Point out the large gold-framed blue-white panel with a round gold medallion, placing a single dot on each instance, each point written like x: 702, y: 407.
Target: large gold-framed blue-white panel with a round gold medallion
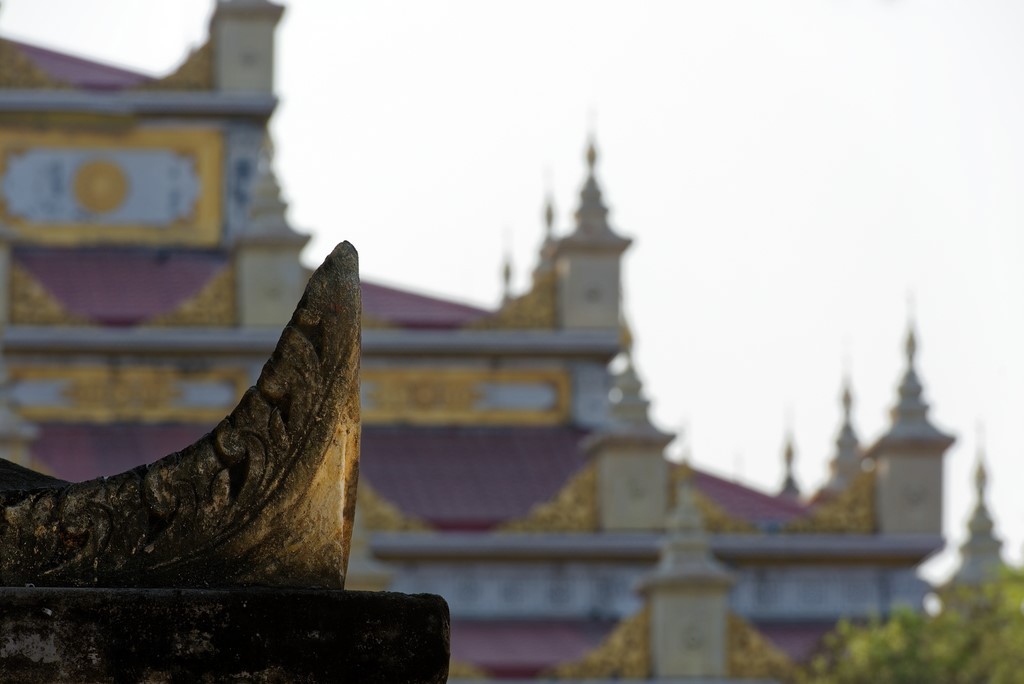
x: 101, y: 189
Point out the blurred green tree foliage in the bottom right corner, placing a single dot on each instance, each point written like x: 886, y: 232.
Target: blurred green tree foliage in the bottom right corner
x: 977, y: 638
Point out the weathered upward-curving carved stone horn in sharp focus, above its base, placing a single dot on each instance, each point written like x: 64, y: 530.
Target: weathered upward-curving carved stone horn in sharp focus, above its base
x: 268, y: 498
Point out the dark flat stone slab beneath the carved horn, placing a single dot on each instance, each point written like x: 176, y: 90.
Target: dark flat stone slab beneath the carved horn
x: 248, y: 635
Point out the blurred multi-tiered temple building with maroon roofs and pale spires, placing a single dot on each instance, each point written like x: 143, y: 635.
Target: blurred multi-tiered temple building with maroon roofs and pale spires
x: 508, y: 461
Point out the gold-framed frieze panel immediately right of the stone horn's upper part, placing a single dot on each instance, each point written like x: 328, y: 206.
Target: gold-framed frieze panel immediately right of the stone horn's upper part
x: 458, y: 397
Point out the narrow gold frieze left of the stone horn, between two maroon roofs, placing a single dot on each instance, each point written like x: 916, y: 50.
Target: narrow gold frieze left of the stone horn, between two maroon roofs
x: 111, y: 394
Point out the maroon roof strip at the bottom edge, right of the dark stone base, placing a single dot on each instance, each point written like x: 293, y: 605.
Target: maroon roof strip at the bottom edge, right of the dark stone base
x: 524, y: 649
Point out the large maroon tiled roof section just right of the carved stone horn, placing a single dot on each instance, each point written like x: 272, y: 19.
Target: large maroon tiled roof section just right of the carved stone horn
x: 470, y: 479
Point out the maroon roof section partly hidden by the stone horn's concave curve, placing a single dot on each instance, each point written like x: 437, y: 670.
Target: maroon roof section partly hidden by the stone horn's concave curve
x: 79, y: 452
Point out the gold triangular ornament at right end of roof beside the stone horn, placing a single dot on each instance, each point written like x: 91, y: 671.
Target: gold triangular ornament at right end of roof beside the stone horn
x: 574, y: 509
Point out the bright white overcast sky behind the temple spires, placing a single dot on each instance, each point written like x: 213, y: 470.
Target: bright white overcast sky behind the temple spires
x: 791, y: 173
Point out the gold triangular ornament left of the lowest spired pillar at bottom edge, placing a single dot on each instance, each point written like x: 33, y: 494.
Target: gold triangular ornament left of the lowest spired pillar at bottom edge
x: 624, y: 655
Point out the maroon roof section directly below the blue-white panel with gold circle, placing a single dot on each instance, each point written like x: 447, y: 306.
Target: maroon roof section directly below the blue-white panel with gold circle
x: 127, y: 287
